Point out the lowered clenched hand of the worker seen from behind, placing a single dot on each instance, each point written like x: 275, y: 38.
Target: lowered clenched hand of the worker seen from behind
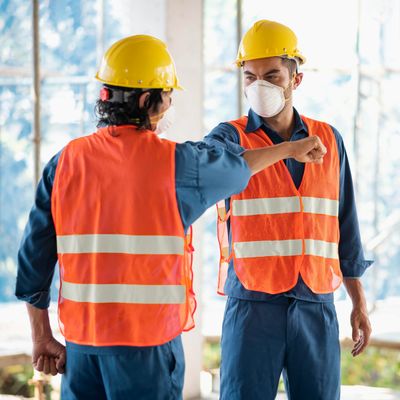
x: 48, y: 356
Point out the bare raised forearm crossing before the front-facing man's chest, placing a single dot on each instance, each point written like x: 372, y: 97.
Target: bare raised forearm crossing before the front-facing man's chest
x: 261, y: 158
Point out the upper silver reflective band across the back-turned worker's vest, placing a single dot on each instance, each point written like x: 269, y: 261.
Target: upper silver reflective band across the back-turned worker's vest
x: 128, y: 244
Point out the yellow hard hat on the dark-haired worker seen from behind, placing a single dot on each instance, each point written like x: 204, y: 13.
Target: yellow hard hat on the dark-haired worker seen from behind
x: 139, y: 61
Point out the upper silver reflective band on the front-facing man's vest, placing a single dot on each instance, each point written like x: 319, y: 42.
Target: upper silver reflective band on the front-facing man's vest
x: 281, y: 205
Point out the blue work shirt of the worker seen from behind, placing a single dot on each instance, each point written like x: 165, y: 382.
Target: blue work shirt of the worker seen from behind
x: 204, y: 175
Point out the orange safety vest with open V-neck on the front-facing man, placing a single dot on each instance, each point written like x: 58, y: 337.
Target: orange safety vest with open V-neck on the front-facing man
x: 279, y: 231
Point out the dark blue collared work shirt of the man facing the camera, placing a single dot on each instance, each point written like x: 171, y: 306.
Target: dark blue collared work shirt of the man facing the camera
x: 352, y: 262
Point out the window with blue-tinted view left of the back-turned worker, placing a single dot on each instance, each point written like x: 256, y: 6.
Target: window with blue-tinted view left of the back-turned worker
x: 73, y: 36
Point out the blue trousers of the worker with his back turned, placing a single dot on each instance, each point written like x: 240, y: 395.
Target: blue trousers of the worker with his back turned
x: 141, y: 373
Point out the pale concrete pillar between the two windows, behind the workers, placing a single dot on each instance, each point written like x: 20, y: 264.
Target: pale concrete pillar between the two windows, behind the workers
x: 179, y: 23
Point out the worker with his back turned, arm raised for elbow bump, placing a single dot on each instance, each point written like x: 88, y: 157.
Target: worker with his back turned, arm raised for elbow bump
x: 115, y: 209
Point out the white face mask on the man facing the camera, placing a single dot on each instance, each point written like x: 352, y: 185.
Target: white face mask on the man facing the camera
x: 265, y: 98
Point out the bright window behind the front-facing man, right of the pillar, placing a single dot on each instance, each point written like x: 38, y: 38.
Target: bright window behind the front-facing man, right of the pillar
x: 351, y: 80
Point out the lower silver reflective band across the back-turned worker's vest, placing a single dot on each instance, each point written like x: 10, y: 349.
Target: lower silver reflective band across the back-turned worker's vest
x: 132, y: 294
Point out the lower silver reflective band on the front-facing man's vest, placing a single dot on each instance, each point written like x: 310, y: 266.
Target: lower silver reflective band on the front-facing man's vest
x: 277, y: 248
